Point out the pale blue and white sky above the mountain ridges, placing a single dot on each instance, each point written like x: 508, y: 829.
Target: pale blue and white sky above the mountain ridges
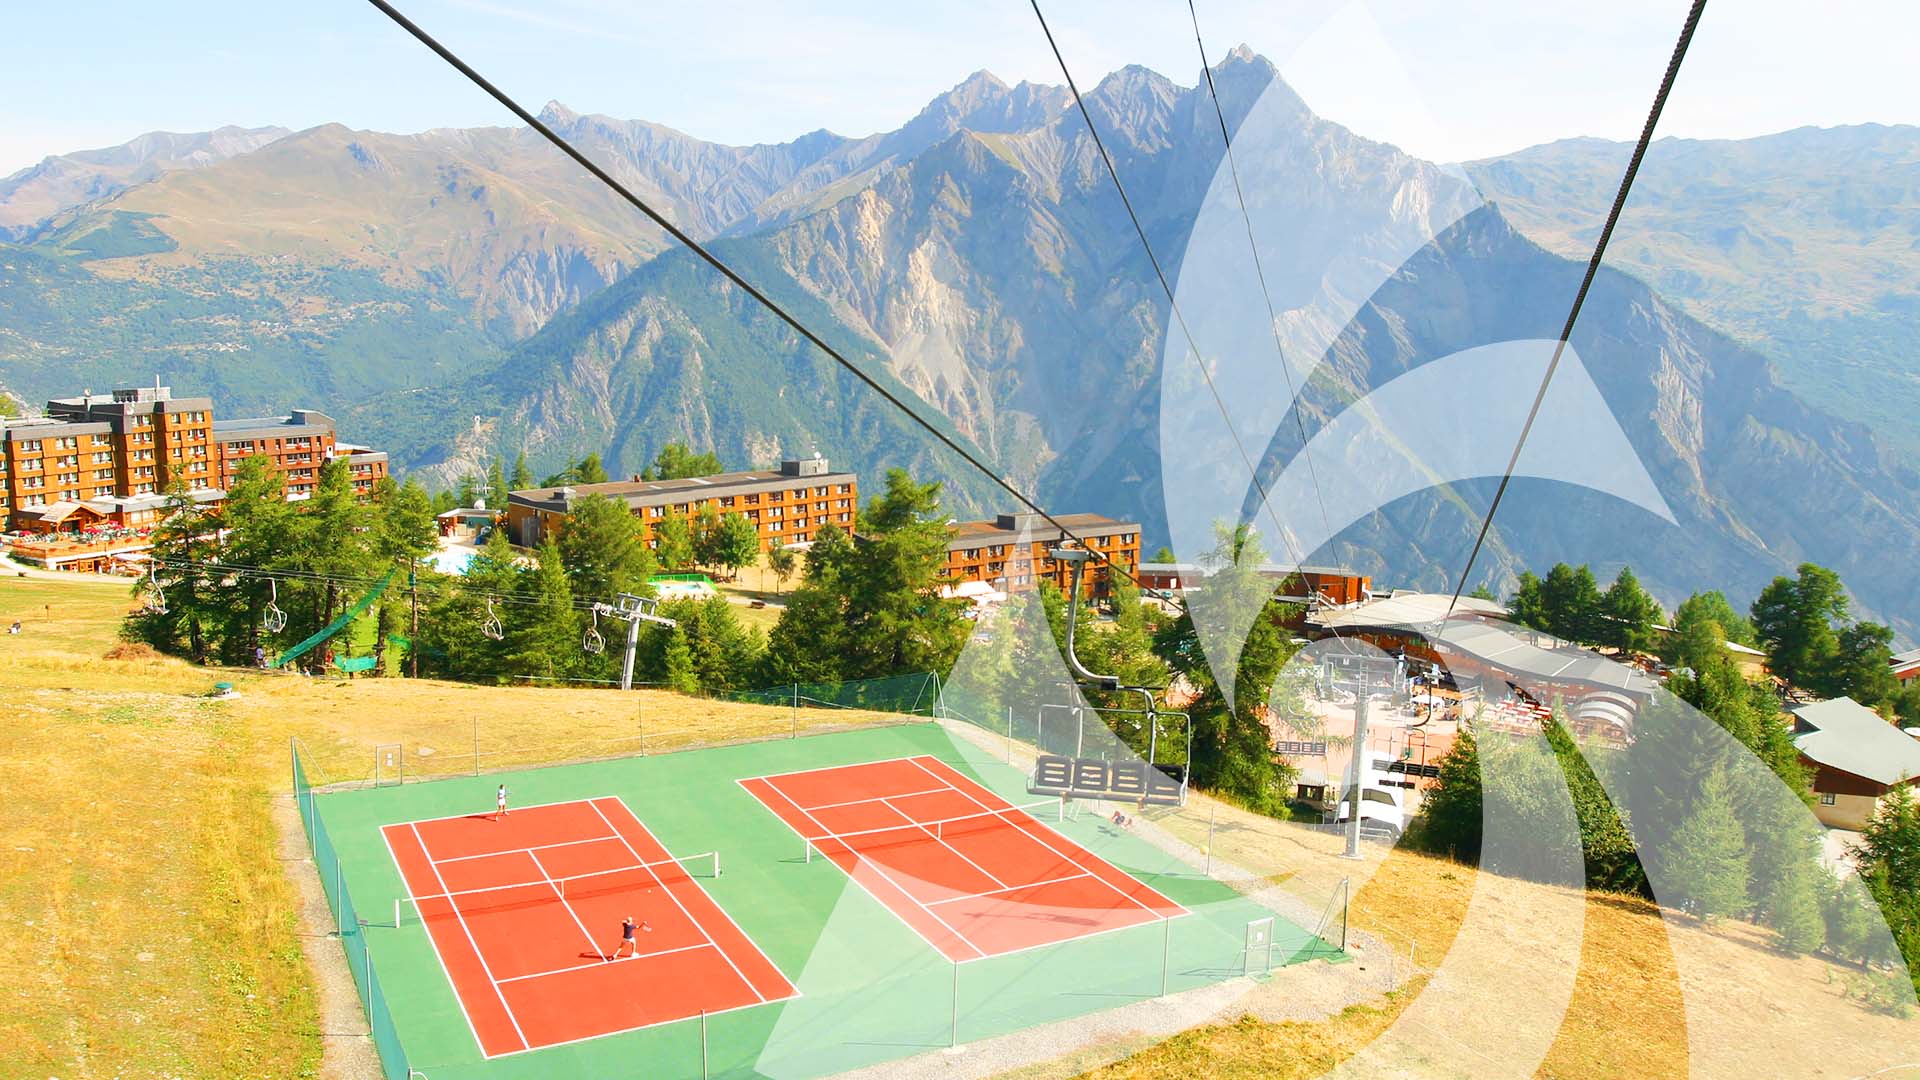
x: 1445, y: 82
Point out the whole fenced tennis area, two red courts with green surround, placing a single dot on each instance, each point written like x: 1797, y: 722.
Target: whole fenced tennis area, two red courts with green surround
x: 775, y: 946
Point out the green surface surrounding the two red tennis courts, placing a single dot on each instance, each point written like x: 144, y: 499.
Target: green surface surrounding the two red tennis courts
x: 871, y: 987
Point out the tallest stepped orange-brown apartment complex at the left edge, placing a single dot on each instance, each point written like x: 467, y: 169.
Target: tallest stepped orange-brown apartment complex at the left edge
x: 110, y: 458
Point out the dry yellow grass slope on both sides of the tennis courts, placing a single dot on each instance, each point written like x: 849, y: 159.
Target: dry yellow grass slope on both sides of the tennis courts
x: 147, y: 920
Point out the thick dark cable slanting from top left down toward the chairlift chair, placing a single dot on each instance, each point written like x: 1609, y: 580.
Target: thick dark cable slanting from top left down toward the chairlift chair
x: 729, y: 272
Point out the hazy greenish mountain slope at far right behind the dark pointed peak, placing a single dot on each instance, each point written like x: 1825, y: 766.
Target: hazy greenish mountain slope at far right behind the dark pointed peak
x: 1804, y: 245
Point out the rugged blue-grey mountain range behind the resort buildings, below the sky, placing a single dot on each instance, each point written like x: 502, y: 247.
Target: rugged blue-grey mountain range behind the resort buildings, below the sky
x: 468, y: 293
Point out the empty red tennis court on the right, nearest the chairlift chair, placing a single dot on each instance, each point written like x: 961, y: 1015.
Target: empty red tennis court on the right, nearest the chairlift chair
x: 969, y: 871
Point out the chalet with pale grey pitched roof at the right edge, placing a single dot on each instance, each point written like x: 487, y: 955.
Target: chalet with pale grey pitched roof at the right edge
x: 1856, y: 758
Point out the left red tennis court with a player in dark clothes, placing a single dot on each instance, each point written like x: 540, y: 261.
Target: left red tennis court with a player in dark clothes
x: 525, y: 908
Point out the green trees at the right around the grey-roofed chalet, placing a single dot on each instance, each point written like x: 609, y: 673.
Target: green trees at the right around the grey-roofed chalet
x: 1729, y: 843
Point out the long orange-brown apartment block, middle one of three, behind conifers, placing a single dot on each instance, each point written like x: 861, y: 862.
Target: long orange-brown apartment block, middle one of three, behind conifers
x: 788, y: 504
